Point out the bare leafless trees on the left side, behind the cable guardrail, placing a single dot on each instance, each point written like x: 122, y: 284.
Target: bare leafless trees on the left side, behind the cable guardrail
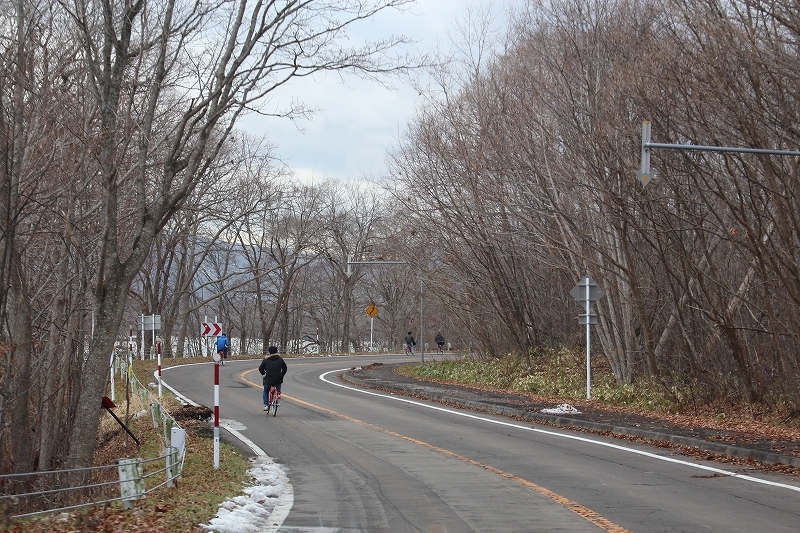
x: 118, y: 124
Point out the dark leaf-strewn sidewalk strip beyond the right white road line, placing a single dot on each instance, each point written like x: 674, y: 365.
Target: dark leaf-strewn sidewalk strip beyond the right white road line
x: 726, y: 442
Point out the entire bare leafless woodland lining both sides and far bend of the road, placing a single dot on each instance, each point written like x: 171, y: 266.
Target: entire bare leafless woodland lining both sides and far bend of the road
x: 127, y: 190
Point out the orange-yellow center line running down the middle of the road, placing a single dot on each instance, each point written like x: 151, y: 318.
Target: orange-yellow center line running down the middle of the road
x: 580, y: 510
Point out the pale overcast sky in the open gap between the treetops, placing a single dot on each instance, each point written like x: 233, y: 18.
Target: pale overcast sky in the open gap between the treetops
x: 358, y: 122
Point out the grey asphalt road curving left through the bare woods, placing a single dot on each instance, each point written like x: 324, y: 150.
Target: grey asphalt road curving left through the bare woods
x: 362, y: 461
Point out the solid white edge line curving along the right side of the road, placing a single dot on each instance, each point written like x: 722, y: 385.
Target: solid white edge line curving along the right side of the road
x: 565, y: 436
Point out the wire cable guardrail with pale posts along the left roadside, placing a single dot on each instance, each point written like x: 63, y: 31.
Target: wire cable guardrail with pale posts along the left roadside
x: 35, y: 493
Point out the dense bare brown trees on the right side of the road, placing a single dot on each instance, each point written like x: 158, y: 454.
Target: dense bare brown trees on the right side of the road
x: 522, y: 170
